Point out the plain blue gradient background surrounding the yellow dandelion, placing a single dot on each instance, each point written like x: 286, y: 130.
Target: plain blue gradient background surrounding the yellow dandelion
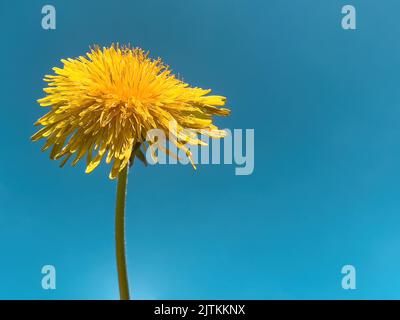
x: 325, y: 106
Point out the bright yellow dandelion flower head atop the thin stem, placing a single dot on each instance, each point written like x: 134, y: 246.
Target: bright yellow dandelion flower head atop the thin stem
x: 102, y: 105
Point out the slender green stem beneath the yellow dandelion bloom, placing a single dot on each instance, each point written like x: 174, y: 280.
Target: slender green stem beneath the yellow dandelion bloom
x: 120, y: 234
